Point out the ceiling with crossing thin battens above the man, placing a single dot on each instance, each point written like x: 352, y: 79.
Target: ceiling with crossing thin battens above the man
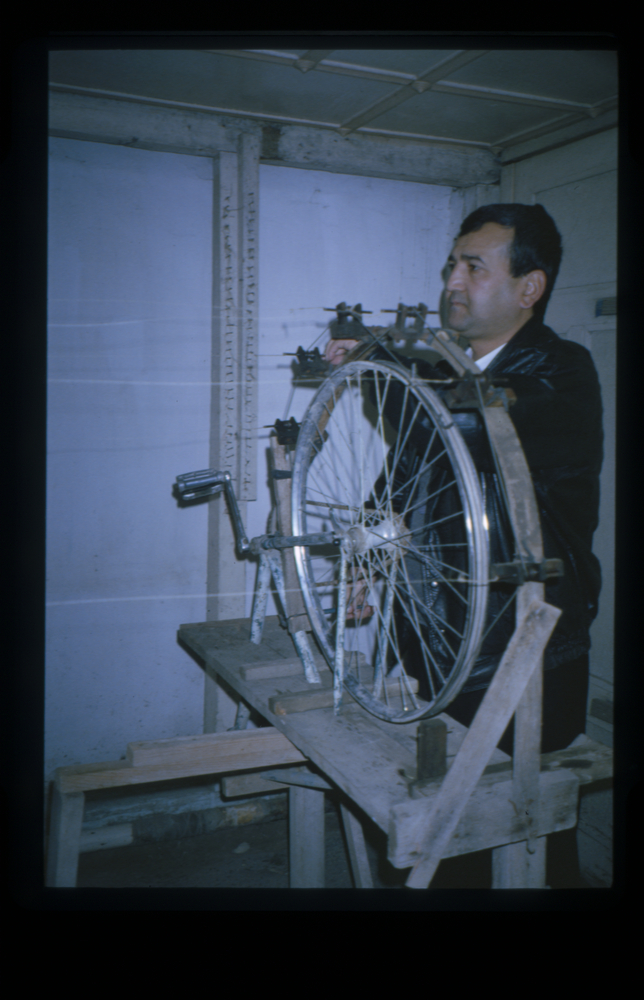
x: 491, y: 99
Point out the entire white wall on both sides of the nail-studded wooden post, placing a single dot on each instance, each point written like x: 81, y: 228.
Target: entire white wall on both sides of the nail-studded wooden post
x: 130, y: 285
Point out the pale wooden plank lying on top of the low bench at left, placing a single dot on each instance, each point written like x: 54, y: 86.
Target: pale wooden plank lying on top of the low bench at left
x: 233, y: 751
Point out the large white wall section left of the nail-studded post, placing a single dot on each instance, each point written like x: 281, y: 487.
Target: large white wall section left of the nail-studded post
x: 129, y: 360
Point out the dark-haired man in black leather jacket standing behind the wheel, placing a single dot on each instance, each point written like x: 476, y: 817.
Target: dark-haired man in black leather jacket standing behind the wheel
x: 500, y: 275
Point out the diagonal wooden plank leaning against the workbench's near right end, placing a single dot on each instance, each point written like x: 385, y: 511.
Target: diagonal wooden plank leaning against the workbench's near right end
x: 497, y: 708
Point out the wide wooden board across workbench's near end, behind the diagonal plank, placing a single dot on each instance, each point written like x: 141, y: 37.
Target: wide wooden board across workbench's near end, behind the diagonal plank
x: 489, y: 819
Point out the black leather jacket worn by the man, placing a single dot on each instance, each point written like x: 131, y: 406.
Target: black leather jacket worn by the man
x: 558, y: 418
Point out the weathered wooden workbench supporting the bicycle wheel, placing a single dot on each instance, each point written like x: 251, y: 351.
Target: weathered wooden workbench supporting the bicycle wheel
x: 373, y: 761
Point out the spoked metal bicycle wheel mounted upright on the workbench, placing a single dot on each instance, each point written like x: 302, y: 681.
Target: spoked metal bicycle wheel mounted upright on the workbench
x: 382, y: 468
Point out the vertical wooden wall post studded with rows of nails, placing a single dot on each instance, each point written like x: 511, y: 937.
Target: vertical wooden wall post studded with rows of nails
x: 233, y: 408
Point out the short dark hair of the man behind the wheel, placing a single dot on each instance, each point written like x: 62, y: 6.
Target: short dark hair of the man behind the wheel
x: 536, y: 245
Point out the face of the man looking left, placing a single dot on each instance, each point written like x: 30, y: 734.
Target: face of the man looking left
x: 482, y: 297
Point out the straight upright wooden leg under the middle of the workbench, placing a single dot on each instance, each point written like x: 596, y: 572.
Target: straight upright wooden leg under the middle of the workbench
x: 306, y: 837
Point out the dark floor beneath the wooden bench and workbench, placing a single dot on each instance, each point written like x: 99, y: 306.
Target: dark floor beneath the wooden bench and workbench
x: 256, y: 856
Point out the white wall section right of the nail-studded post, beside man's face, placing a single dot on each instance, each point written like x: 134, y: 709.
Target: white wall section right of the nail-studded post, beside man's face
x: 326, y: 238
